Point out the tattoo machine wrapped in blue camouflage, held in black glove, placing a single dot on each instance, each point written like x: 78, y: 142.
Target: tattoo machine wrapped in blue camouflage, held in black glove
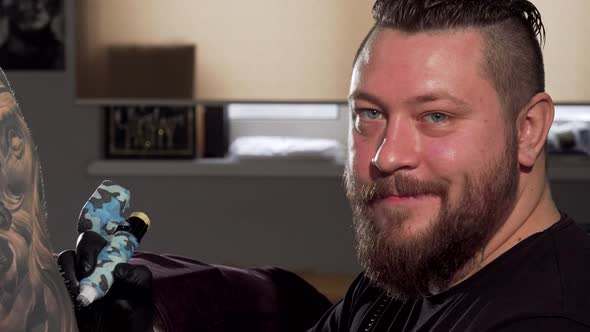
x: 103, y: 214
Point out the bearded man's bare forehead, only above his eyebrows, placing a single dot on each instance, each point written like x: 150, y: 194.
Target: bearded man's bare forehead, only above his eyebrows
x: 441, y: 55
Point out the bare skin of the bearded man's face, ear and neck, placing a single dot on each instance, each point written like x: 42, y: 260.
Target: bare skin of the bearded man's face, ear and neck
x: 421, y: 104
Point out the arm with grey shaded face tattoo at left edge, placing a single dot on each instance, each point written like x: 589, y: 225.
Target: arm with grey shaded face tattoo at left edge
x: 33, y: 296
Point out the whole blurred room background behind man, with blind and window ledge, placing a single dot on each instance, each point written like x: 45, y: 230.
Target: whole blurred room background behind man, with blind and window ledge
x: 227, y: 119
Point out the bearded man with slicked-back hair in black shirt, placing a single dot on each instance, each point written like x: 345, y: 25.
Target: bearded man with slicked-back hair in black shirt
x: 455, y: 225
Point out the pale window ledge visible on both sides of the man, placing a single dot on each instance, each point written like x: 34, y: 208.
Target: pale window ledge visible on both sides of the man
x: 561, y: 167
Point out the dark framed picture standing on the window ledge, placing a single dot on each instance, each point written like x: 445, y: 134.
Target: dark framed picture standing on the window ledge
x: 150, y: 132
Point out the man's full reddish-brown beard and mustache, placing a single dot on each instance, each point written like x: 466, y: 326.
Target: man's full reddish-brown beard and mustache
x: 428, y: 262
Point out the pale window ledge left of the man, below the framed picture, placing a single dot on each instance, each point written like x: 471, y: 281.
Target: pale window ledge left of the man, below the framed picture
x: 218, y: 167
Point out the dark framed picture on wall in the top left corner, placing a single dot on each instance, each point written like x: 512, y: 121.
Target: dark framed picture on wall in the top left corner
x: 32, y: 35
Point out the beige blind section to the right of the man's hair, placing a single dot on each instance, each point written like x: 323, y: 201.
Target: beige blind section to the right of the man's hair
x: 567, y: 50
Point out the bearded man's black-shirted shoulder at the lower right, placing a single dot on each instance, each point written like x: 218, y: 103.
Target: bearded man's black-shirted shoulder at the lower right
x: 542, y: 277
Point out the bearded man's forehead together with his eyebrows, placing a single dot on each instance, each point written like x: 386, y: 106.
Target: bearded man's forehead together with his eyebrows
x: 399, y: 68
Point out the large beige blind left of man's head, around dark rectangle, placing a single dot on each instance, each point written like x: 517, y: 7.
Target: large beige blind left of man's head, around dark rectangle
x: 246, y: 50
